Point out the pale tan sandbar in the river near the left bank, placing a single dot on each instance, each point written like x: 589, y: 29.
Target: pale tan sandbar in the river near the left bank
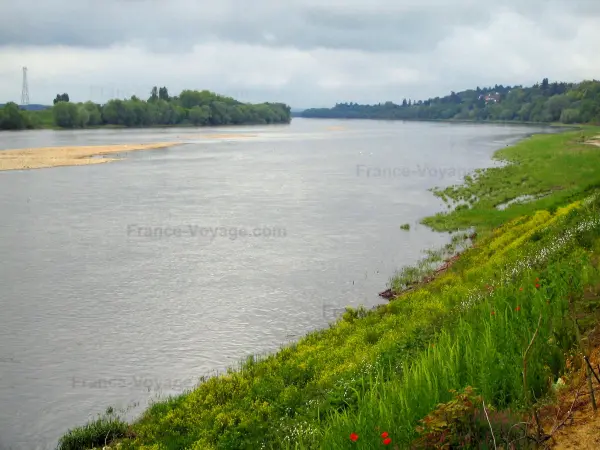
x: 38, y: 158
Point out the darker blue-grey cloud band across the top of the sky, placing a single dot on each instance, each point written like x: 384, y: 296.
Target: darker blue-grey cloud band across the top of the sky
x: 389, y: 25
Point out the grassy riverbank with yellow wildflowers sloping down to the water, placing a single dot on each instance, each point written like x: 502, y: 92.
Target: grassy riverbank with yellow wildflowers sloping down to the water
x: 532, y: 269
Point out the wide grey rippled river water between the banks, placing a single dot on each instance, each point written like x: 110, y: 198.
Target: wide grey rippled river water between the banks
x: 124, y: 282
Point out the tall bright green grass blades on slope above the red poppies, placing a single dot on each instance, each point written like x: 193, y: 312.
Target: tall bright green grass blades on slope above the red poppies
x: 484, y: 350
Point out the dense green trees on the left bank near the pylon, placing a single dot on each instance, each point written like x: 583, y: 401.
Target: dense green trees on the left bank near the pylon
x: 194, y: 108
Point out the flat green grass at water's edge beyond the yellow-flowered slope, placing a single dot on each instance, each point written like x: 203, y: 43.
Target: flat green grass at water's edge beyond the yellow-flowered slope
x: 556, y: 164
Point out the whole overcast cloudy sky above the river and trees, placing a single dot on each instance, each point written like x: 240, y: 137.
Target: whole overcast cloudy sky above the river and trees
x: 302, y: 52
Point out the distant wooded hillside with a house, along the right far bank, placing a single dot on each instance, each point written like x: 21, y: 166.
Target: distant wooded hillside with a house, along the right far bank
x: 543, y: 102
